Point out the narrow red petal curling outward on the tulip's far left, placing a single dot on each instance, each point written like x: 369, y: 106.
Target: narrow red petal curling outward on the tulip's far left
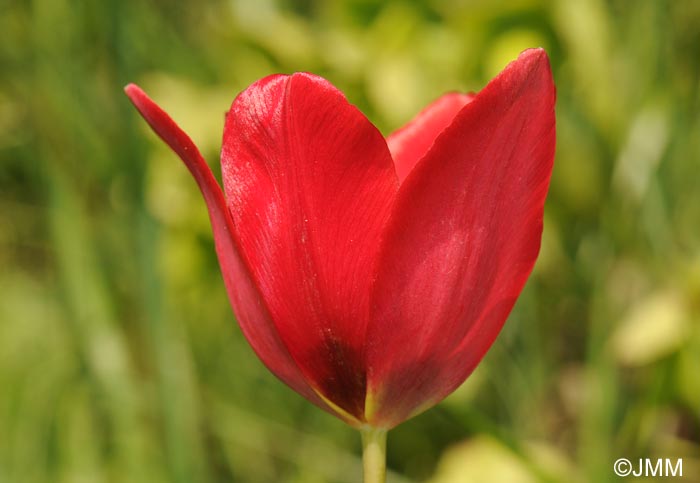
x: 251, y: 313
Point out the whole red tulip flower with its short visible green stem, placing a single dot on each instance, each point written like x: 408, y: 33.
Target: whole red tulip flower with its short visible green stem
x: 372, y: 274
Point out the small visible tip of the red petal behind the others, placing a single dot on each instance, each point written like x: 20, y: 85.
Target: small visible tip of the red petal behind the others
x: 411, y: 142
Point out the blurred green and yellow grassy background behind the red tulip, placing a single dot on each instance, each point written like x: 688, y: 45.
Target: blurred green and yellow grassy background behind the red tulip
x: 120, y: 360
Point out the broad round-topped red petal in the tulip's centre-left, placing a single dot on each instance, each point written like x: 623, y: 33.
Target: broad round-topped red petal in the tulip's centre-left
x: 309, y: 182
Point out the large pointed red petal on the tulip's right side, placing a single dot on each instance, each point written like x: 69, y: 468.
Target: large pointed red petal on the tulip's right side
x: 461, y: 241
